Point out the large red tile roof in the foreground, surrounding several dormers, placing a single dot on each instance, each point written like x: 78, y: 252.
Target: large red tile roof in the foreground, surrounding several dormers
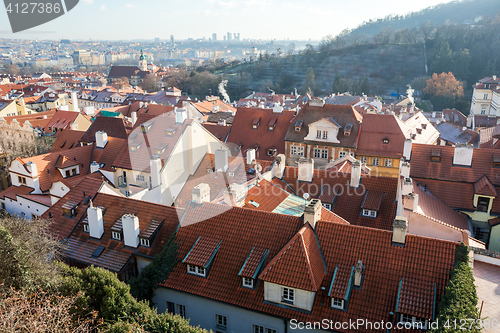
x: 424, y: 259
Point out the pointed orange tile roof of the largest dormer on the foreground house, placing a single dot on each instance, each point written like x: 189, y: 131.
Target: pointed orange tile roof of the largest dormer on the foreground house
x: 299, y: 264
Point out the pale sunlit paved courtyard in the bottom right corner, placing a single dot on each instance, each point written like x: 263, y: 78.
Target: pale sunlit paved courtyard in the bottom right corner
x: 488, y: 290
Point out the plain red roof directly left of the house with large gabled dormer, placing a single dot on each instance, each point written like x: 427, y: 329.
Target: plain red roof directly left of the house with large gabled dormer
x: 261, y: 138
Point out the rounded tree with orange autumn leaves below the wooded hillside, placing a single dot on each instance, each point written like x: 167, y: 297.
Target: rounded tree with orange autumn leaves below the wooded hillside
x: 443, y: 90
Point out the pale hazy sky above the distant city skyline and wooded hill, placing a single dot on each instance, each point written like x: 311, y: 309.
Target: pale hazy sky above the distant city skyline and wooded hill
x: 255, y: 19
